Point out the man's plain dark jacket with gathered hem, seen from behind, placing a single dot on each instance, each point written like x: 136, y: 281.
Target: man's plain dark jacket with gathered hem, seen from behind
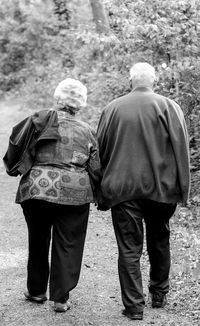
x: 144, y: 151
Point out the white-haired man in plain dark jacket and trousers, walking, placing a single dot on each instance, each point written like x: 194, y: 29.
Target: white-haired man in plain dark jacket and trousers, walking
x: 143, y: 145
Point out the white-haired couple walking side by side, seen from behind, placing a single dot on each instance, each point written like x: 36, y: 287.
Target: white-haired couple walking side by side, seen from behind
x: 137, y: 166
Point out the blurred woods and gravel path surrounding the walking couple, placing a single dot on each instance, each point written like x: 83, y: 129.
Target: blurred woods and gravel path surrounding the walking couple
x: 97, y: 41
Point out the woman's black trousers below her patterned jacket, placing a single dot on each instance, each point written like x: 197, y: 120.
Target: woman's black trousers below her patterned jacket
x: 66, y: 225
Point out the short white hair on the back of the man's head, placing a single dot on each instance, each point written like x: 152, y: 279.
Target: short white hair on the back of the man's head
x: 142, y: 73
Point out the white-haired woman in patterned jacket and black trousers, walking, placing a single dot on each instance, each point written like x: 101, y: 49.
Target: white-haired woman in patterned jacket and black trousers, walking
x: 55, y: 195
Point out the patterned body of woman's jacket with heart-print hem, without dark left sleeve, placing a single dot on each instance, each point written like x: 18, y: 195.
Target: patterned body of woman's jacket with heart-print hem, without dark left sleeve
x: 64, y: 169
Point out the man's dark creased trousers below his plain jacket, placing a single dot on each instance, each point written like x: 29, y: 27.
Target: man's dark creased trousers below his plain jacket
x: 128, y: 225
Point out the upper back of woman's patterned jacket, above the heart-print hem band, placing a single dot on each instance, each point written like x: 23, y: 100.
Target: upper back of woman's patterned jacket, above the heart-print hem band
x: 72, y: 151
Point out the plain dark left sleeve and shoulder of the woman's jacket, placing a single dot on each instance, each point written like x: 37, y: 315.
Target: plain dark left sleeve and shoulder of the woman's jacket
x: 25, y: 135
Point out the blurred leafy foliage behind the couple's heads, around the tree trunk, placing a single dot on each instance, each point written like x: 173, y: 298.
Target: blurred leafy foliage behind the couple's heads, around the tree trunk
x: 41, y: 42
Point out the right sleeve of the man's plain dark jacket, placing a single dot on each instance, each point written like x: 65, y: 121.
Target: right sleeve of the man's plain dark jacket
x: 180, y: 143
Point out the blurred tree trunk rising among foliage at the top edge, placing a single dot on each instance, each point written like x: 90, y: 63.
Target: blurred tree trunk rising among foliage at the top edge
x: 100, y: 17
